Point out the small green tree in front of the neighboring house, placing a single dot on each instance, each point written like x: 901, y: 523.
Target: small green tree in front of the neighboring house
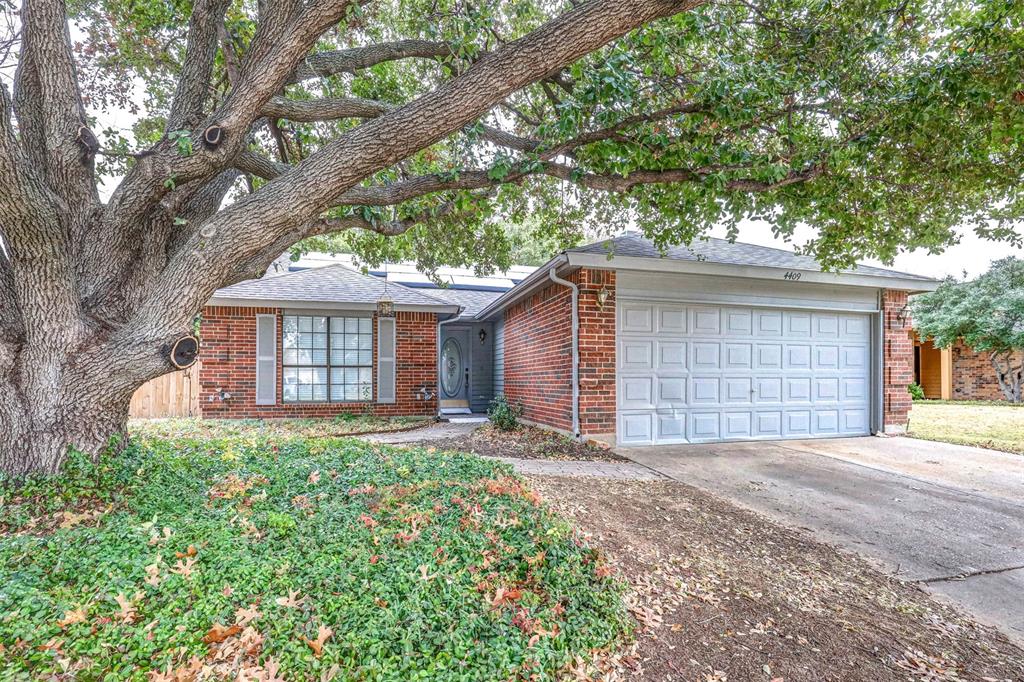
x: 987, y: 314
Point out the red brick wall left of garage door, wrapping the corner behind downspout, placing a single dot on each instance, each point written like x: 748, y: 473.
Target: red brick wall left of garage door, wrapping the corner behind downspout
x: 539, y: 355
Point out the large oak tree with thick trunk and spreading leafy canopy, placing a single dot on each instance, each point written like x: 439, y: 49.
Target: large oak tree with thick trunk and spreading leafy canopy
x: 422, y: 126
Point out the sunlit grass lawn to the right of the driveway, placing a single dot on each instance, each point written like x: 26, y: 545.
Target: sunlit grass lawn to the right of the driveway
x: 995, y: 425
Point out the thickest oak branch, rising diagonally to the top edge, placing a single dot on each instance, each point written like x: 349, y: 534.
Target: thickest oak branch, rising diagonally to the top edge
x: 260, y: 221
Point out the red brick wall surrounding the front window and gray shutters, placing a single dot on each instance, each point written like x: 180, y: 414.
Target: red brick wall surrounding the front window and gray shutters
x: 229, y: 364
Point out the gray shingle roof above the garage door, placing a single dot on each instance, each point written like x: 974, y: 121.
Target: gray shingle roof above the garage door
x: 722, y: 251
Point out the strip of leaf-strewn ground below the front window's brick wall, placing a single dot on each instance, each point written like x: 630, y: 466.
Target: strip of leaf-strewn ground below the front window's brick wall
x: 343, y: 425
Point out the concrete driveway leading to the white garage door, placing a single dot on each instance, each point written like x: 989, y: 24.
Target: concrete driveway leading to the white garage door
x: 950, y: 518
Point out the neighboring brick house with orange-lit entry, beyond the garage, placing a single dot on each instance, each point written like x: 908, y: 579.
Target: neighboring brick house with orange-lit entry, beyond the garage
x: 956, y: 374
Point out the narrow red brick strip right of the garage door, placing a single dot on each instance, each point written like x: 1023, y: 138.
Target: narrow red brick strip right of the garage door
x: 899, y: 361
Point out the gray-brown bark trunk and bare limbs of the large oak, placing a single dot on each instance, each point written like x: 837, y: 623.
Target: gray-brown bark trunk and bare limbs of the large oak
x: 94, y: 294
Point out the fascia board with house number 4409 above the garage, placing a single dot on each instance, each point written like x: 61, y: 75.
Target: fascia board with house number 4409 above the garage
x: 603, y: 262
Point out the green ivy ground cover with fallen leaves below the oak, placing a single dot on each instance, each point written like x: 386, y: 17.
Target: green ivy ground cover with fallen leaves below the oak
x: 294, y: 560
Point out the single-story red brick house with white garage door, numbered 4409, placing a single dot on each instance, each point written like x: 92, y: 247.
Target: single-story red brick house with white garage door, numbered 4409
x: 616, y: 342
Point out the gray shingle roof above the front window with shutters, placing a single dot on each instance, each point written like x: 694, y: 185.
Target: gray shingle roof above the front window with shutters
x: 334, y: 284
